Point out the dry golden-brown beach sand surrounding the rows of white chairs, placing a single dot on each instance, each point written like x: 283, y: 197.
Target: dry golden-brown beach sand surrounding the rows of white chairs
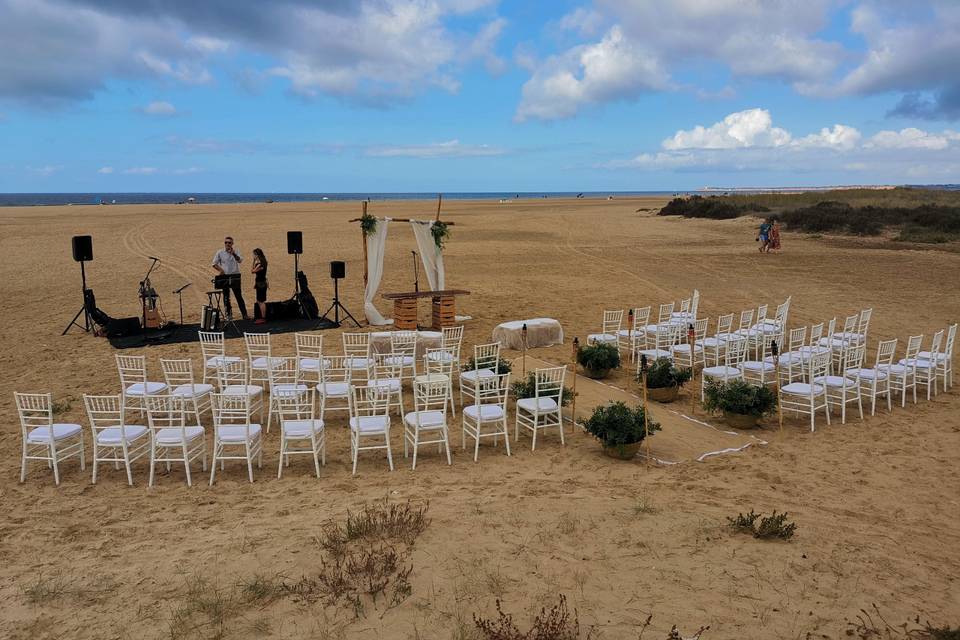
x: 876, y: 502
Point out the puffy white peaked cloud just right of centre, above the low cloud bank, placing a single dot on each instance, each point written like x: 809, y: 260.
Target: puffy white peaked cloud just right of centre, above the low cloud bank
x: 613, y: 69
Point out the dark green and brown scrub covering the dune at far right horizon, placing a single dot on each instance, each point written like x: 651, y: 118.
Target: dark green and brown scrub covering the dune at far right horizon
x: 918, y: 215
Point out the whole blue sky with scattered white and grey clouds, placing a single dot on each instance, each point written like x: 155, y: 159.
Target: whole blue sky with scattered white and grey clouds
x: 475, y: 95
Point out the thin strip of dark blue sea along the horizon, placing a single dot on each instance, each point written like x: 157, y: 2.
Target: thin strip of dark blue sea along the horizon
x: 49, y: 199
